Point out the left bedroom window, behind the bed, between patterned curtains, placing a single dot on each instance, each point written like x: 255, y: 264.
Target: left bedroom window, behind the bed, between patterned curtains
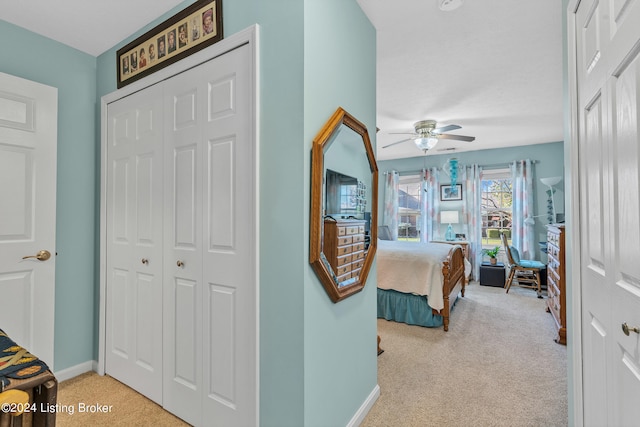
x: 409, y: 194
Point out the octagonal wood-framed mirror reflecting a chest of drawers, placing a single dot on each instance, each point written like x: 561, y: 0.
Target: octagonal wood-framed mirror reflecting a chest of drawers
x: 344, y: 205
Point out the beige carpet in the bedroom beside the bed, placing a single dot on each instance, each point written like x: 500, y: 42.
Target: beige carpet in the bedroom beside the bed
x: 497, y: 366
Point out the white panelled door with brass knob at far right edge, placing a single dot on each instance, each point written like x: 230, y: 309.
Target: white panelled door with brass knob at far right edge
x: 608, y: 82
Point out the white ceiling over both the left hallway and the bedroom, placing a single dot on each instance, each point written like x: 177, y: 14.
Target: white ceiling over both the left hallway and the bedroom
x: 493, y: 67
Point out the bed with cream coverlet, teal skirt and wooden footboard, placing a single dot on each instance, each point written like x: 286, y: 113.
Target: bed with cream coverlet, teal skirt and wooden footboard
x: 419, y: 283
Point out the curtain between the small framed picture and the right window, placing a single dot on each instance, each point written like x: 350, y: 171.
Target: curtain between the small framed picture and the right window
x: 472, y: 215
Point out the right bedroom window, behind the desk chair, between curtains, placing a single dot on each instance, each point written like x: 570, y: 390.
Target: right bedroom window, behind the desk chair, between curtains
x: 496, y: 207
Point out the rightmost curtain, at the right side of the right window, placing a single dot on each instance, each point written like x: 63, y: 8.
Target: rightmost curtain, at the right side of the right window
x: 522, y: 235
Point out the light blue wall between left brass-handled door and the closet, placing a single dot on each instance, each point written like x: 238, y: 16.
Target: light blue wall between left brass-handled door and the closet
x: 30, y: 56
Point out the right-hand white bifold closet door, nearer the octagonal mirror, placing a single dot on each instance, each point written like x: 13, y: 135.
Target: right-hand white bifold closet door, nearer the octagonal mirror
x: 210, y: 301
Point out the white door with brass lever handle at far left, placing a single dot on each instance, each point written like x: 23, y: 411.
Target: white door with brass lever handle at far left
x: 28, y: 152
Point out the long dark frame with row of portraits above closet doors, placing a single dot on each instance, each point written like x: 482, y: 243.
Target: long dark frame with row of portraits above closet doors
x: 191, y: 30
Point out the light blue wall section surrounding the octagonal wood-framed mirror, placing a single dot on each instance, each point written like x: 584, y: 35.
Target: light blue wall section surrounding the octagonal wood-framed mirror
x: 340, y: 339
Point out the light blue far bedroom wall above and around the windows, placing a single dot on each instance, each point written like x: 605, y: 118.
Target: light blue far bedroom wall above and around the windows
x: 549, y: 162
